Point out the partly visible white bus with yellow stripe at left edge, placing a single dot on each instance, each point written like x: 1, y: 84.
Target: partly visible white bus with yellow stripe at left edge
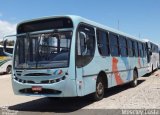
x: 5, y: 61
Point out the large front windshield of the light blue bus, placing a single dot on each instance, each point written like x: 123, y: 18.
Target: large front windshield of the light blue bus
x: 43, y: 50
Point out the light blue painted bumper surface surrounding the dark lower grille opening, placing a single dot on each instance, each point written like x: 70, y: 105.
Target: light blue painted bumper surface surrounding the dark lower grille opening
x: 67, y: 87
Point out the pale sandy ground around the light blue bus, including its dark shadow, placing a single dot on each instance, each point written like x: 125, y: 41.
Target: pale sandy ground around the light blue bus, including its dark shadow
x: 145, y: 96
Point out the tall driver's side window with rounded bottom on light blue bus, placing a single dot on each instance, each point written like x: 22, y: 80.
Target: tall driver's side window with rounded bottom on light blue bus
x: 85, y: 45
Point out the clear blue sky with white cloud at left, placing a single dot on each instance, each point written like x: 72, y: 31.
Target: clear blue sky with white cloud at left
x: 140, y: 18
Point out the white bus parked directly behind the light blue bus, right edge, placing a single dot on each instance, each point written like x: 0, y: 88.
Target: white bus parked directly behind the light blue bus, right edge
x: 153, y: 57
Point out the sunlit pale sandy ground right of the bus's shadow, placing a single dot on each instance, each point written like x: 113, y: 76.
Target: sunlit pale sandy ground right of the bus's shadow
x: 145, y: 96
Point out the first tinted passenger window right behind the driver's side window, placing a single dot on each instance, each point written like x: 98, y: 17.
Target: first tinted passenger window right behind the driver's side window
x: 103, y: 43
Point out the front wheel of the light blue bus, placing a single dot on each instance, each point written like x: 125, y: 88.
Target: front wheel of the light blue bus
x: 100, y: 87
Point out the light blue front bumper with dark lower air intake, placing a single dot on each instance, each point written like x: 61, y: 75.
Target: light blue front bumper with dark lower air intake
x: 63, y: 88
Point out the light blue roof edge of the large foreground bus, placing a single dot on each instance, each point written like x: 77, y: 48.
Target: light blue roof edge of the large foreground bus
x: 78, y: 19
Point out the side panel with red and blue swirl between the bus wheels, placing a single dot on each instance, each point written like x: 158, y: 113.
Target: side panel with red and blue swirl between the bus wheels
x: 121, y: 71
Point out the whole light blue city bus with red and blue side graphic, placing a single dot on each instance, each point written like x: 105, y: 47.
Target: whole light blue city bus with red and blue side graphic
x: 68, y: 56
